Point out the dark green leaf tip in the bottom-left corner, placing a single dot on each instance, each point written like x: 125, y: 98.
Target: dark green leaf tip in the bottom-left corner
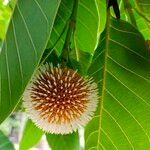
x: 5, y: 144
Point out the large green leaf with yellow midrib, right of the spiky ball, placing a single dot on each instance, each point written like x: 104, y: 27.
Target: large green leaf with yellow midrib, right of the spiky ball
x: 121, y: 68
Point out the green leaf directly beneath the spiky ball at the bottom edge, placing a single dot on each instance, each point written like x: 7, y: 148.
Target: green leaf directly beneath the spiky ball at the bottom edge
x: 63, y: 142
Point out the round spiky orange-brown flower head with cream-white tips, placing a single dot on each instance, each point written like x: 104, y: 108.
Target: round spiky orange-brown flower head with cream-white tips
x: 59, y: 100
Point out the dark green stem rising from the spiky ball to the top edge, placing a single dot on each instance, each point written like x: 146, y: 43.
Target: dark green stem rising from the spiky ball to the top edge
x: 71, y: 29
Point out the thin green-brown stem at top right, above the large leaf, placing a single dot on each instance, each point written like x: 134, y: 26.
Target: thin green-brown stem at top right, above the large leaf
x: 128, y: 9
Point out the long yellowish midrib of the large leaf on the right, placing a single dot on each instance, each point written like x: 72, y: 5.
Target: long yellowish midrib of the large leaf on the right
x: 104, y: 75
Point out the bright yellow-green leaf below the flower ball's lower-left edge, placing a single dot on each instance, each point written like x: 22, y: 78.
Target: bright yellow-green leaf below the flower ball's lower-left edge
x: 31, y: 136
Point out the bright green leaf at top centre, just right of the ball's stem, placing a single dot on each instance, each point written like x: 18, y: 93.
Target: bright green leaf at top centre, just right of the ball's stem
x: 87, y: 26
